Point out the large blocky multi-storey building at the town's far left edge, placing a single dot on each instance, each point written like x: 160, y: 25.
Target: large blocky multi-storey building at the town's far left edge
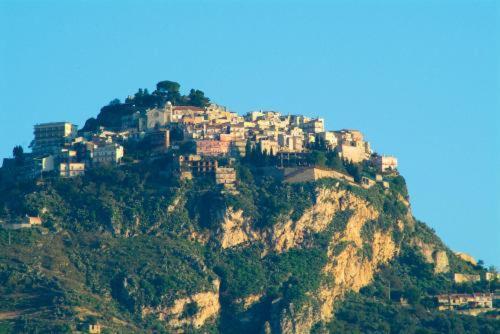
x: 50, y: 137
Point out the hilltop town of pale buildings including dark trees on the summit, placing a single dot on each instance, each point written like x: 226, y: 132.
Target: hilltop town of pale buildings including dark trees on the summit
x: 204, y: 138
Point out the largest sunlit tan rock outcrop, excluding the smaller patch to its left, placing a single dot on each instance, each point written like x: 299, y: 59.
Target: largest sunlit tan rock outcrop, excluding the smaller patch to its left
x: 349, y: 269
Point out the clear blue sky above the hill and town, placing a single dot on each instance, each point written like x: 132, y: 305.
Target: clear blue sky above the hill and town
x: 420, y: 78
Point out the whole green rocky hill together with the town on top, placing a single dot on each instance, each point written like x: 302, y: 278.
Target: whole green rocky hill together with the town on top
x: 169, y: 213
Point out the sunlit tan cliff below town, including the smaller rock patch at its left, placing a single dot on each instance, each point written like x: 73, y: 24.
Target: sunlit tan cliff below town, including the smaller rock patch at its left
x: 347, y: 269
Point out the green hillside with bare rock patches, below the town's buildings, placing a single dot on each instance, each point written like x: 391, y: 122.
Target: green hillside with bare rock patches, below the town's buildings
x: 135, y: 247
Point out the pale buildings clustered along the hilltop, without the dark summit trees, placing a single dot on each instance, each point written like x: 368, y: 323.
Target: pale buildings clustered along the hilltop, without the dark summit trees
x: 217, y: 132
